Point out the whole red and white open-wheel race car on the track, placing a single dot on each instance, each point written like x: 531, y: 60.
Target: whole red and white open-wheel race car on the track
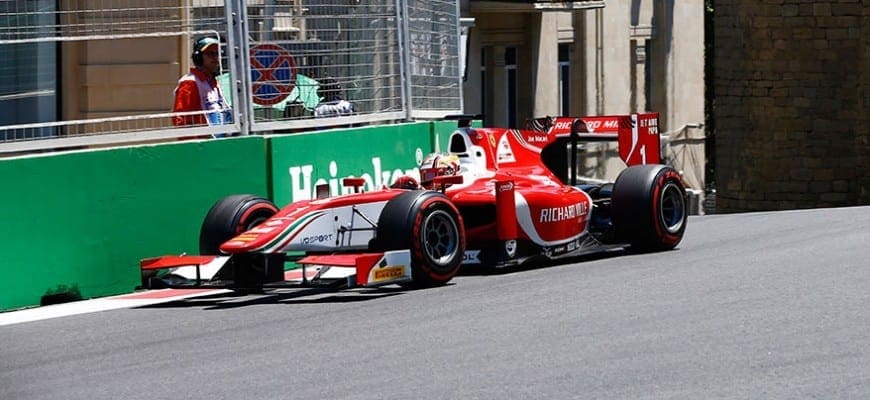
x: 491, y: 200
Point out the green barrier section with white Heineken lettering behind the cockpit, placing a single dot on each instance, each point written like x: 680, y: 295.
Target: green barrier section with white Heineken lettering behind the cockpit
x: 380, y: 154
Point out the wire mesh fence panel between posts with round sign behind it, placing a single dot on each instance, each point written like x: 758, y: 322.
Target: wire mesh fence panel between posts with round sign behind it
x: 324, y: 60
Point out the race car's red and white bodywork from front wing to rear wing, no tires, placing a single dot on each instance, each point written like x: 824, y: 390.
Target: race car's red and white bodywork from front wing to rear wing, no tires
x: 505, y: 193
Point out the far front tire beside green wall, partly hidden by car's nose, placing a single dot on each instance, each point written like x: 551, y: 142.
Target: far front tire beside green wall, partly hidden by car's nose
x: 230, y: 217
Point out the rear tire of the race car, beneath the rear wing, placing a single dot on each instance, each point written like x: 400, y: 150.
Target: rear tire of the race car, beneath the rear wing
x: 649, y: 207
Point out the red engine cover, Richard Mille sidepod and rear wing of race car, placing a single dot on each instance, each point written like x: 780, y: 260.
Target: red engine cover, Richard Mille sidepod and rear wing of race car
x: 503, y: 168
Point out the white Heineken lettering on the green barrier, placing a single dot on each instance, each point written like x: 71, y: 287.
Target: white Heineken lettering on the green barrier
x: 302, y: 187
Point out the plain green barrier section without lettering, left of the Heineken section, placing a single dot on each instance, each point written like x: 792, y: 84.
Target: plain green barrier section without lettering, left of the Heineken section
x: 75, y: 225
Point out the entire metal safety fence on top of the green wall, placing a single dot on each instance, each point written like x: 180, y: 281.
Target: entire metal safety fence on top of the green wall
x: 81, y: 73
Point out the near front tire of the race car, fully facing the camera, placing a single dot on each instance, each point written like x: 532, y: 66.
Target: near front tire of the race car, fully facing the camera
x: 430, y: 226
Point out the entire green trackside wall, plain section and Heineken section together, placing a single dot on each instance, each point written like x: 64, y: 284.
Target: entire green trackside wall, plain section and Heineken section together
x: 75, y: 225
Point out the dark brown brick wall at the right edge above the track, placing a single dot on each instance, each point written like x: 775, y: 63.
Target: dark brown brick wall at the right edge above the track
x: 792, y: 93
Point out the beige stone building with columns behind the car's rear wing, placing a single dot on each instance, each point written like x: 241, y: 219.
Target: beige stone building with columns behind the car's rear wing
x: 532, y: 59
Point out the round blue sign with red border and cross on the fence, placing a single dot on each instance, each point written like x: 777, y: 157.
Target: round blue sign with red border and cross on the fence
x: 273, y: 74
